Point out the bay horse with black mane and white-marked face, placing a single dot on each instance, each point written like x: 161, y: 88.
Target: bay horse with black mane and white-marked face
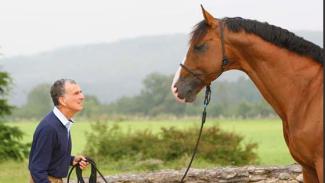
x: 287, y: 70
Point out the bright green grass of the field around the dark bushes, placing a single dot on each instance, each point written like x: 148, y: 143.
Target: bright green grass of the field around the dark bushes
x: 272, y: 149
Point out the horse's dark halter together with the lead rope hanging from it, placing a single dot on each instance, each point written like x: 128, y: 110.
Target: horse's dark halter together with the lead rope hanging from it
x: 207, y: 93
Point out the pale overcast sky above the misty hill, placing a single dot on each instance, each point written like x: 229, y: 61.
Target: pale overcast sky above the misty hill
x: 33, y: 26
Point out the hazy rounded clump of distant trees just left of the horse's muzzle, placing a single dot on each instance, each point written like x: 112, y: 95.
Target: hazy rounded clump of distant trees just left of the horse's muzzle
x: 154, y: 99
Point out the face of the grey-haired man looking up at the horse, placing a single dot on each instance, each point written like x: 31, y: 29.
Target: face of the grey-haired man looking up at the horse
x: 73, y: 97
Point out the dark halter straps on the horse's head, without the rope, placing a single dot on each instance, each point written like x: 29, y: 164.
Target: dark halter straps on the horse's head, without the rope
x: 224, y: 62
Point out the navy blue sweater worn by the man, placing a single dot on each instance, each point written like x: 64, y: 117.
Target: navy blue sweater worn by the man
x: 51, y: 150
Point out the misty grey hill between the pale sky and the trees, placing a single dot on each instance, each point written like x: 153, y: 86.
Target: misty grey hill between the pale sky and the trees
x: 106, y: 70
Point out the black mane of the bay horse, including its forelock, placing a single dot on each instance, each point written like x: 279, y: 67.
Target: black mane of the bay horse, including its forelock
x: 273, y: 34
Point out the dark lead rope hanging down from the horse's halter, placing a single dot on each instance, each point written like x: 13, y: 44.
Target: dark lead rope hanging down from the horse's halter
x: 204, y: 114
